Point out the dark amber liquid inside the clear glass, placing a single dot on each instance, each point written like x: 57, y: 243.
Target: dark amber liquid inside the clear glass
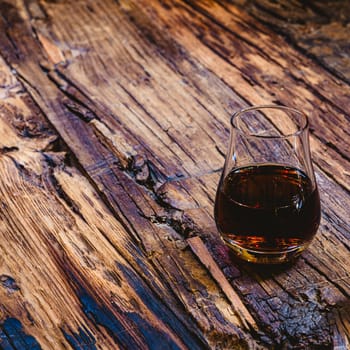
x: 267, y: 208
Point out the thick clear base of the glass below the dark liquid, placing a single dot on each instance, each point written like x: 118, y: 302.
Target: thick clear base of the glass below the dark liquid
x: 265, y: 257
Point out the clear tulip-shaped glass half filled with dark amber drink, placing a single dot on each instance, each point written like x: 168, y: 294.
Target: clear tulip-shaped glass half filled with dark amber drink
x: 267, y: 206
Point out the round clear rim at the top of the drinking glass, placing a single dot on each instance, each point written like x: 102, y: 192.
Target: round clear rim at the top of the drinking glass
x: 300, y: 128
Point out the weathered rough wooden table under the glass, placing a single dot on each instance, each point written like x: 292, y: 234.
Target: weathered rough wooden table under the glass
x: 114, y: 125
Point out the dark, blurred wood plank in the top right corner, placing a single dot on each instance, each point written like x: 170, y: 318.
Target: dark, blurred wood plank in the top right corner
x: 319, y: 28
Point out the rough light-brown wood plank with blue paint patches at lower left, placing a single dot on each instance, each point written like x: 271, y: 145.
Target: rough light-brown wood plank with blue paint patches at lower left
x: 63, y: 272
